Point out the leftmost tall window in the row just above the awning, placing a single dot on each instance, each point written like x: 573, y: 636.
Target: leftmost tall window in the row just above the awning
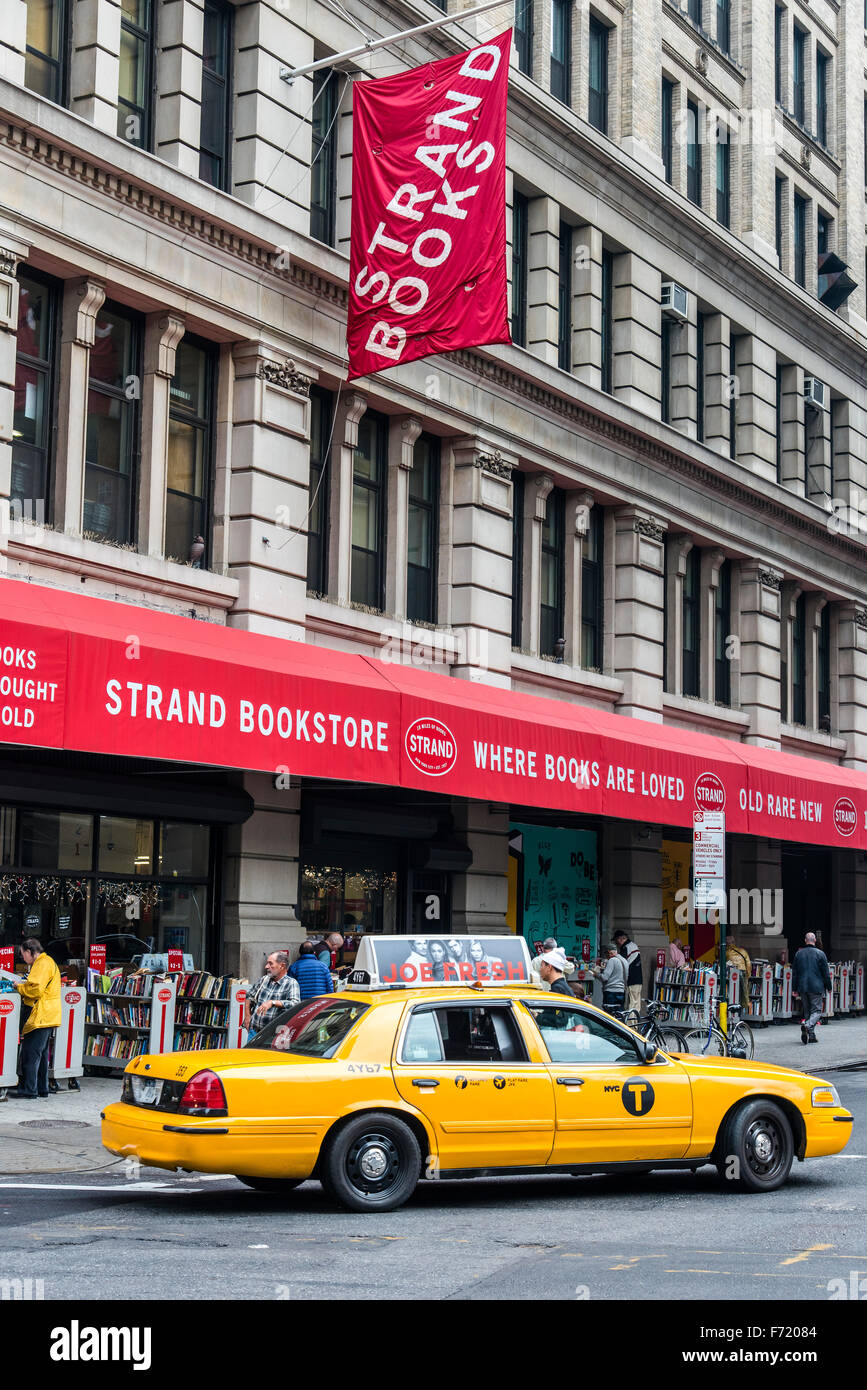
x: 35, y: 394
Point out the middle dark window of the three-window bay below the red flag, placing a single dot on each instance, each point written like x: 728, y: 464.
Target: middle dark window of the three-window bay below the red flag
x: 369, y: 512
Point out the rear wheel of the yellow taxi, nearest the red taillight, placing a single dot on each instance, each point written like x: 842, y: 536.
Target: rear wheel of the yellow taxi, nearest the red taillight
x: 372, y: 1164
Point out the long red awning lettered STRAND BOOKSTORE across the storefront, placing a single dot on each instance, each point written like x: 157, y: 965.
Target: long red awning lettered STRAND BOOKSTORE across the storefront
x: 97, y: 676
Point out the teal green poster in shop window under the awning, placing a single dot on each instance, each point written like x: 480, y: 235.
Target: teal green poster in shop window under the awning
x: 559, y: 886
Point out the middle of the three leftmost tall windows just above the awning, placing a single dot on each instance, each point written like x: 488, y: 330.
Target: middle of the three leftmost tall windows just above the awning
x: 112, y: 444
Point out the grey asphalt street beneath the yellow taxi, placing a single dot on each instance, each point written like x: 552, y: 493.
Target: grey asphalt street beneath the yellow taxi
x: 666, y: 1236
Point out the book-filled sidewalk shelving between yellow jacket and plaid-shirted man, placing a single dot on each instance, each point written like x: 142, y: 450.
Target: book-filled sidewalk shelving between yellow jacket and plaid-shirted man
x: 135, y: 1014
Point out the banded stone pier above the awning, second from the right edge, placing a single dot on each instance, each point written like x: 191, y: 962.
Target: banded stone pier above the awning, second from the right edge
x: 761, y: 619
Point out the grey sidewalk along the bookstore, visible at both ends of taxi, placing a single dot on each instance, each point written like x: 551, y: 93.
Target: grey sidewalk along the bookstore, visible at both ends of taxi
x: 63, y: 1134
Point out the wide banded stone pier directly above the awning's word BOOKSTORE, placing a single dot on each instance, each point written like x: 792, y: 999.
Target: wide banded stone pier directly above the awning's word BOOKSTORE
x: 270, y: 490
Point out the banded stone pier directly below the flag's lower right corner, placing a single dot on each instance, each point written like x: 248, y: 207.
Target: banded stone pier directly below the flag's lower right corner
x: 481, y: 561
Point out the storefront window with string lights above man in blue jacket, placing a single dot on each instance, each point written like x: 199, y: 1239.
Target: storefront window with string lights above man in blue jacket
x: 341, y: 900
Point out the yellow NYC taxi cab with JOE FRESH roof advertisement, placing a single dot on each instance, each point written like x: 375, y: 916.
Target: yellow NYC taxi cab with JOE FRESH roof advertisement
x: 383, y: 1085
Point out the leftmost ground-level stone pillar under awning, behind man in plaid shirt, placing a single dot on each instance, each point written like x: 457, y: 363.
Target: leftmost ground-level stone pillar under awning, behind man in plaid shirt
x: 262, y: 878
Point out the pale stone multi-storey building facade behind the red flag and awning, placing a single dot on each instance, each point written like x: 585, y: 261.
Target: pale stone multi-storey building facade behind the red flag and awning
x: 651, y: 504
